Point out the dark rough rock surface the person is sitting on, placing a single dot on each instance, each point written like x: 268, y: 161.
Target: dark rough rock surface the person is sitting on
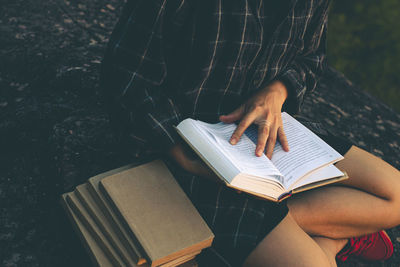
x: 54, y: 134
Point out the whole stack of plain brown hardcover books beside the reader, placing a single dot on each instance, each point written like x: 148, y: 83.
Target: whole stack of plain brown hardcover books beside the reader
x: 137, y: 215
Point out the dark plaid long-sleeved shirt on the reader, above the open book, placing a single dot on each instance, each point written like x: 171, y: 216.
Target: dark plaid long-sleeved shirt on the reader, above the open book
x: 171, y: 59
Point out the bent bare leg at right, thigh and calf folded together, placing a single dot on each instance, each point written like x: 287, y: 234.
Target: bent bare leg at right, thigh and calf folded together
x: 367, y: 202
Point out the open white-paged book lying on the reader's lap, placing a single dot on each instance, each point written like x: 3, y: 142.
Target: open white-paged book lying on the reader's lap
x: 308, y: 164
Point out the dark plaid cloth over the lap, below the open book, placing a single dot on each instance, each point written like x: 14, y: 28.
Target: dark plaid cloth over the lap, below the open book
x: 239, y: 221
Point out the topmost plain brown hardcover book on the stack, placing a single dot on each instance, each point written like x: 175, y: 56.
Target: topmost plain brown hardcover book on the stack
x: 163, y: 219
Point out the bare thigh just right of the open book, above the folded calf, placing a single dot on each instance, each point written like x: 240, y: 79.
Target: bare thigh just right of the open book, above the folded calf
x: 370, y: 173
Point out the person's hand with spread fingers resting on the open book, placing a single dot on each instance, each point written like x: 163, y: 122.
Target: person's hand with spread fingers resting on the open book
x: 263, y: 109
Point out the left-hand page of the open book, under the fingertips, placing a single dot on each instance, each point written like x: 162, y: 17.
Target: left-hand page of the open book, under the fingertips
x: 243, y: 153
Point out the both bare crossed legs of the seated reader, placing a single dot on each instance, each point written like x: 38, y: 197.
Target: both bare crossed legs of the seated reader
x: 365, y: 203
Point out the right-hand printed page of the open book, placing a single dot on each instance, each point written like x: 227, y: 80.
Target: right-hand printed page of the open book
x: 307, y: 151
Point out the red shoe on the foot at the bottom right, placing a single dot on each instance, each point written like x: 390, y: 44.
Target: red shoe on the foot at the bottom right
x: 373, y: 247
